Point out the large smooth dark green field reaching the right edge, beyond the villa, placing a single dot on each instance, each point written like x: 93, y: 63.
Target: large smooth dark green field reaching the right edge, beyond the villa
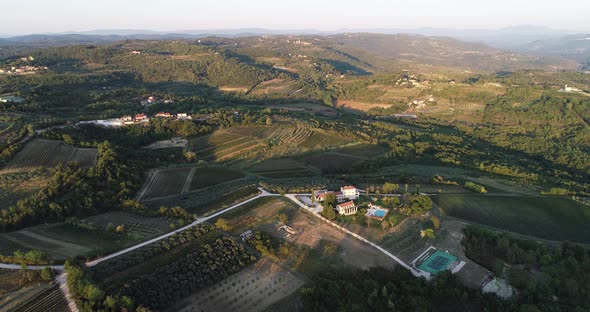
x: 551, y: 218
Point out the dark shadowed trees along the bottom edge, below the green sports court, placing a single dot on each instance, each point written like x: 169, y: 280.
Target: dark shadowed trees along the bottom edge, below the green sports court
x: 379, y: 289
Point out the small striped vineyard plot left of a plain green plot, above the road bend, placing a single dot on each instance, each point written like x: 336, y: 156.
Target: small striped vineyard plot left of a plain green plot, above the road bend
x: 164, y: 183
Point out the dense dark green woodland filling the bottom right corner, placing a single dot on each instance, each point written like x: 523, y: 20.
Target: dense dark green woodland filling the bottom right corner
x: 548, y: 278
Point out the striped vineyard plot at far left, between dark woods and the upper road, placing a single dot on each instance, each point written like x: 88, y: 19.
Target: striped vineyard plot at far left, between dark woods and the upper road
x: 45, y: 153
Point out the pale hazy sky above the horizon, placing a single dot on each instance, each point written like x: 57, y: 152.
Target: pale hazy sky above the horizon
x: 41, y: 16
